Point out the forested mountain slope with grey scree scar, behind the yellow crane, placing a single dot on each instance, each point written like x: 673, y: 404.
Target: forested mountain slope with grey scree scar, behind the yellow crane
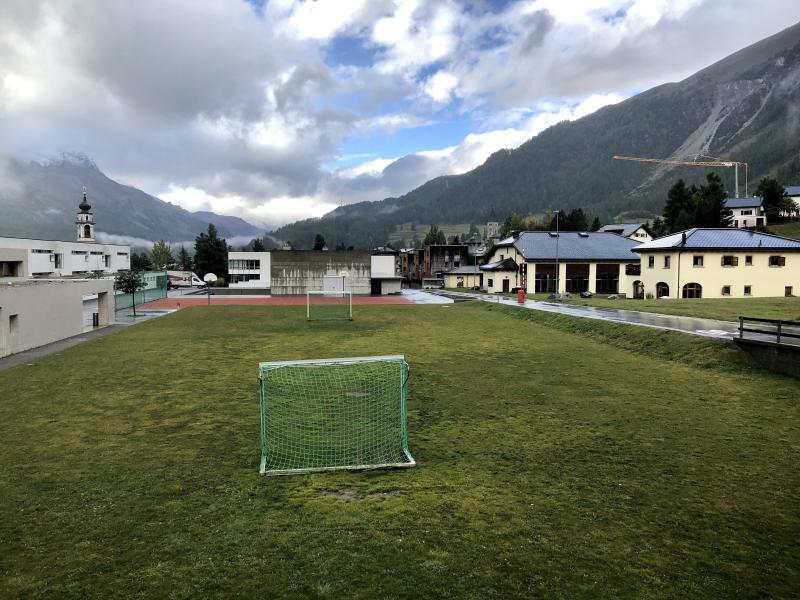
x: 745, y: 107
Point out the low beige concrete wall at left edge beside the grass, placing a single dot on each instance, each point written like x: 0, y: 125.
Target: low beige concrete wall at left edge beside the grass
x: 38, y: 312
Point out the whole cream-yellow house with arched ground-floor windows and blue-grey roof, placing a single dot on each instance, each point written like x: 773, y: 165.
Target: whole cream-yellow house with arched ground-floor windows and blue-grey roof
x: 720, y: 263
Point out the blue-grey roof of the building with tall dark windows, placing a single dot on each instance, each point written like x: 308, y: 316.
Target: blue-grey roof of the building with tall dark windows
x: 573, y: 245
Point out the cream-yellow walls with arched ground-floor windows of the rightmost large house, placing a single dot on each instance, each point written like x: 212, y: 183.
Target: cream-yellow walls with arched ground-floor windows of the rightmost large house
x: 721, y: 273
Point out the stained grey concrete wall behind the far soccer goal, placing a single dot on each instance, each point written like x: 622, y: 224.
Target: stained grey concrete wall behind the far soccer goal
x: 295, y: 272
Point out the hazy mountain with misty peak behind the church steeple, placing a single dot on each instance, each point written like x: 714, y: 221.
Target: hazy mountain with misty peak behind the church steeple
x: 40, y: 201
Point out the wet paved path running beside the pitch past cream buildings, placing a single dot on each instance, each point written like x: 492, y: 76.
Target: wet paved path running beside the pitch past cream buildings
x: 691, y: 325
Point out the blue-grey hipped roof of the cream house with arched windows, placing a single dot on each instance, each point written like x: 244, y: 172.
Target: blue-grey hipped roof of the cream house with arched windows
x: 727, y: 238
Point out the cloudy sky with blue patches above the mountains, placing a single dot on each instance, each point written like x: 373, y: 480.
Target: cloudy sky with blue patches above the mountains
x: 221, y: 106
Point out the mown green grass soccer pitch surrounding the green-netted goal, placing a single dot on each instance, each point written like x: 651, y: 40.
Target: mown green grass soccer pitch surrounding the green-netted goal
x: 557, y: 457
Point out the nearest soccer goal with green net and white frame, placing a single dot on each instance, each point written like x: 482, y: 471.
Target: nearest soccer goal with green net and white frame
x: 334, y: 414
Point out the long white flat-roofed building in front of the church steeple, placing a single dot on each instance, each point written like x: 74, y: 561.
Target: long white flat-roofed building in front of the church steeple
x: 54, y: 258
